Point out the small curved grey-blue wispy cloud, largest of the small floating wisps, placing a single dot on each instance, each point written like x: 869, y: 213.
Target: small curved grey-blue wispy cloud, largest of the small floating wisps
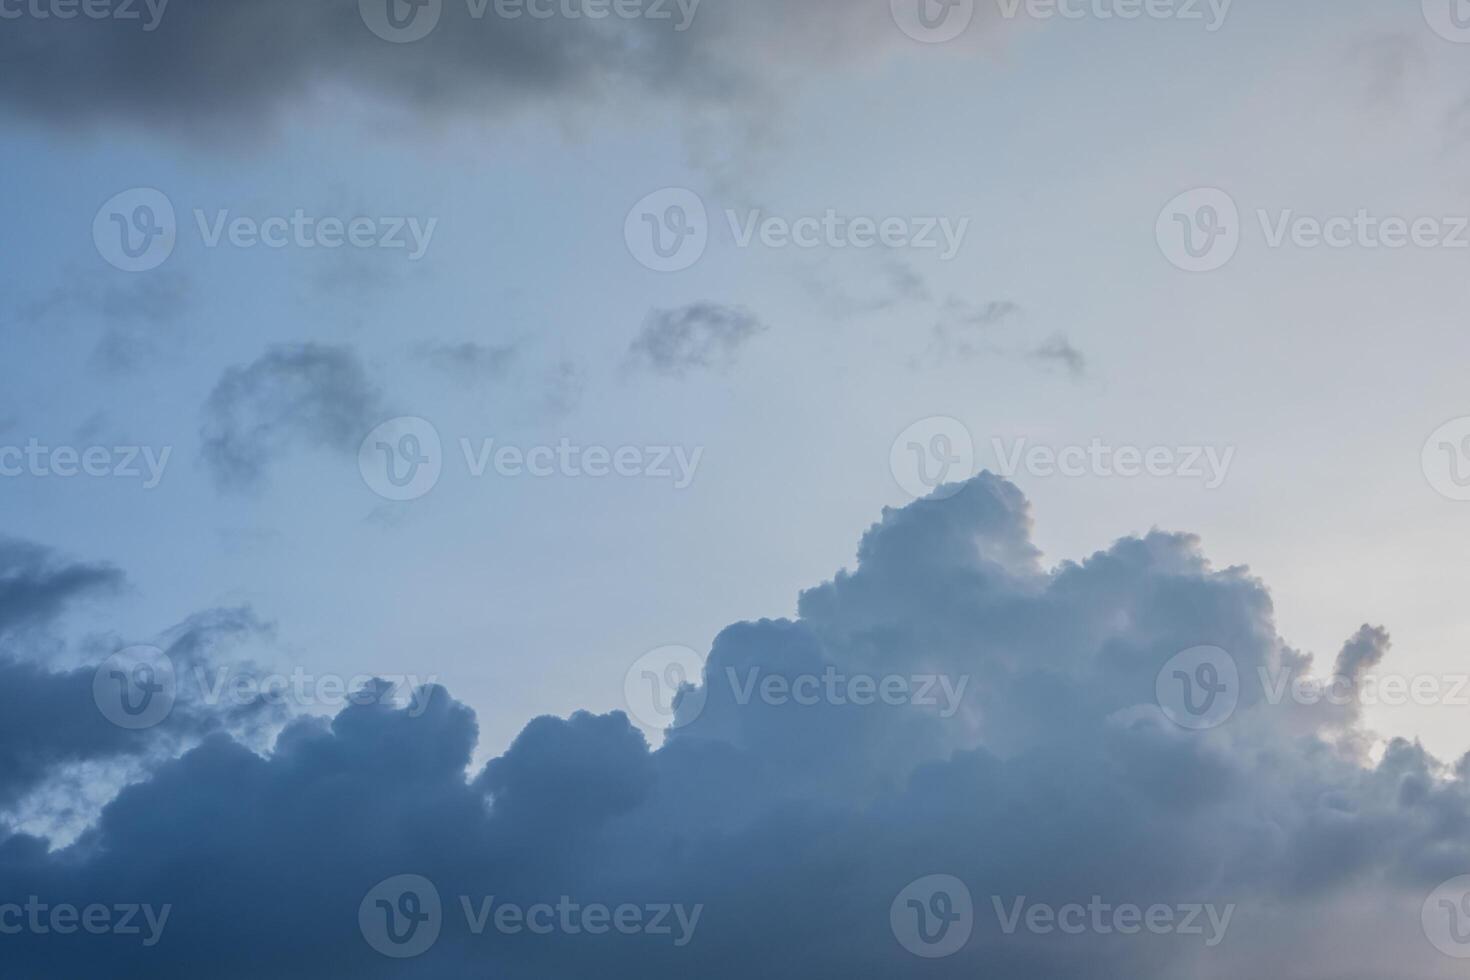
x: 292, y: 396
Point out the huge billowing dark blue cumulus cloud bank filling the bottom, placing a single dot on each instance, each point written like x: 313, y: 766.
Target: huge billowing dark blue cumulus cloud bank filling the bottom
x: 1053, y: 778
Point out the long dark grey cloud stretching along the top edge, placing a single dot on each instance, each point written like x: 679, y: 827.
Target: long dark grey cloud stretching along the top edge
x: 214, y: 67
